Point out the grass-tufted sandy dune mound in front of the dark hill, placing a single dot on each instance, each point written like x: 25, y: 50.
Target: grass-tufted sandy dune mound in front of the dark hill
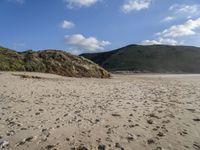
x: 50, y: 61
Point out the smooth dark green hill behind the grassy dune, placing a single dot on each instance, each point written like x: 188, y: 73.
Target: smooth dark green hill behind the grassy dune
x: 154, y: 58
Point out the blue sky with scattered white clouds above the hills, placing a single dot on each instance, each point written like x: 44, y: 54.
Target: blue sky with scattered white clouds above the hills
x: 81, y: 26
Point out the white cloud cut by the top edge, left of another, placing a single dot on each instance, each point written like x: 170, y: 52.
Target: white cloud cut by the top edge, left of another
x: 80, y: 3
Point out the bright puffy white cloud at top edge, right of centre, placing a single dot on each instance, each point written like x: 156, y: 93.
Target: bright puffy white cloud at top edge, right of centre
x: 136, y: 5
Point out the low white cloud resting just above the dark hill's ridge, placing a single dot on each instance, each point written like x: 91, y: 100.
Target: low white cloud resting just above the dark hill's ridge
x: 160, y: 41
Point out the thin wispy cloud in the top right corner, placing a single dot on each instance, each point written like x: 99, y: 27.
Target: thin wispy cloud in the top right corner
x: 183, y: 8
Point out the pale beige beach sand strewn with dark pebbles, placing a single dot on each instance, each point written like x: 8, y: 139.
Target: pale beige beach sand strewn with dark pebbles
x: 126, y: 112
